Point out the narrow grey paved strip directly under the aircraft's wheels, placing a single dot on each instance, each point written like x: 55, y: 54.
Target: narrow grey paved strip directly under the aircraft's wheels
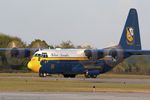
x: 93, y: 80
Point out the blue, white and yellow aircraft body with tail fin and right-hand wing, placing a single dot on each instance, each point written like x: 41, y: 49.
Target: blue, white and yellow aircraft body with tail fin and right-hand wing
x: 91, y: 62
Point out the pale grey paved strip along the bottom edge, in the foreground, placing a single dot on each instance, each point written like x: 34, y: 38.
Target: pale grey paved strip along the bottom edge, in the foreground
x: 74, y: 96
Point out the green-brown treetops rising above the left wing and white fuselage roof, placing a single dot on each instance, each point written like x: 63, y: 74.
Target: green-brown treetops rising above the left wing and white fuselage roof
x: 7, y: 41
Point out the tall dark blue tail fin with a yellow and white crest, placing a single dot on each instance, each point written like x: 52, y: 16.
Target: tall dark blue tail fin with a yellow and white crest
x: 130, y: 38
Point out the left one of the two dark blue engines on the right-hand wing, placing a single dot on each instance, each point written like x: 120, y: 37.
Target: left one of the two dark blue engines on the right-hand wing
x: 94, y: 54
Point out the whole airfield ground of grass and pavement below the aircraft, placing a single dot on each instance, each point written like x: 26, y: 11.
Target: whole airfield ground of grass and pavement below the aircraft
x: 32, y: 87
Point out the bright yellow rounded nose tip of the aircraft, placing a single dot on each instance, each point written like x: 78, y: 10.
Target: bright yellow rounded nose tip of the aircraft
x: 34, y: 66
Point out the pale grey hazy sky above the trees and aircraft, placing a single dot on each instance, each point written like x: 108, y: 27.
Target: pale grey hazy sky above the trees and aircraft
x: 95, y: 22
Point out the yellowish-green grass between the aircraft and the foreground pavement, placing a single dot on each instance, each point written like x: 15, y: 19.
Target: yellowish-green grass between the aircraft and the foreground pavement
x: 30, y: 82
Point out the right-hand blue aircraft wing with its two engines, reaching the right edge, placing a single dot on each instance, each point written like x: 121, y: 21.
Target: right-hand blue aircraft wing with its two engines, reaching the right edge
x: 113, y: 52
